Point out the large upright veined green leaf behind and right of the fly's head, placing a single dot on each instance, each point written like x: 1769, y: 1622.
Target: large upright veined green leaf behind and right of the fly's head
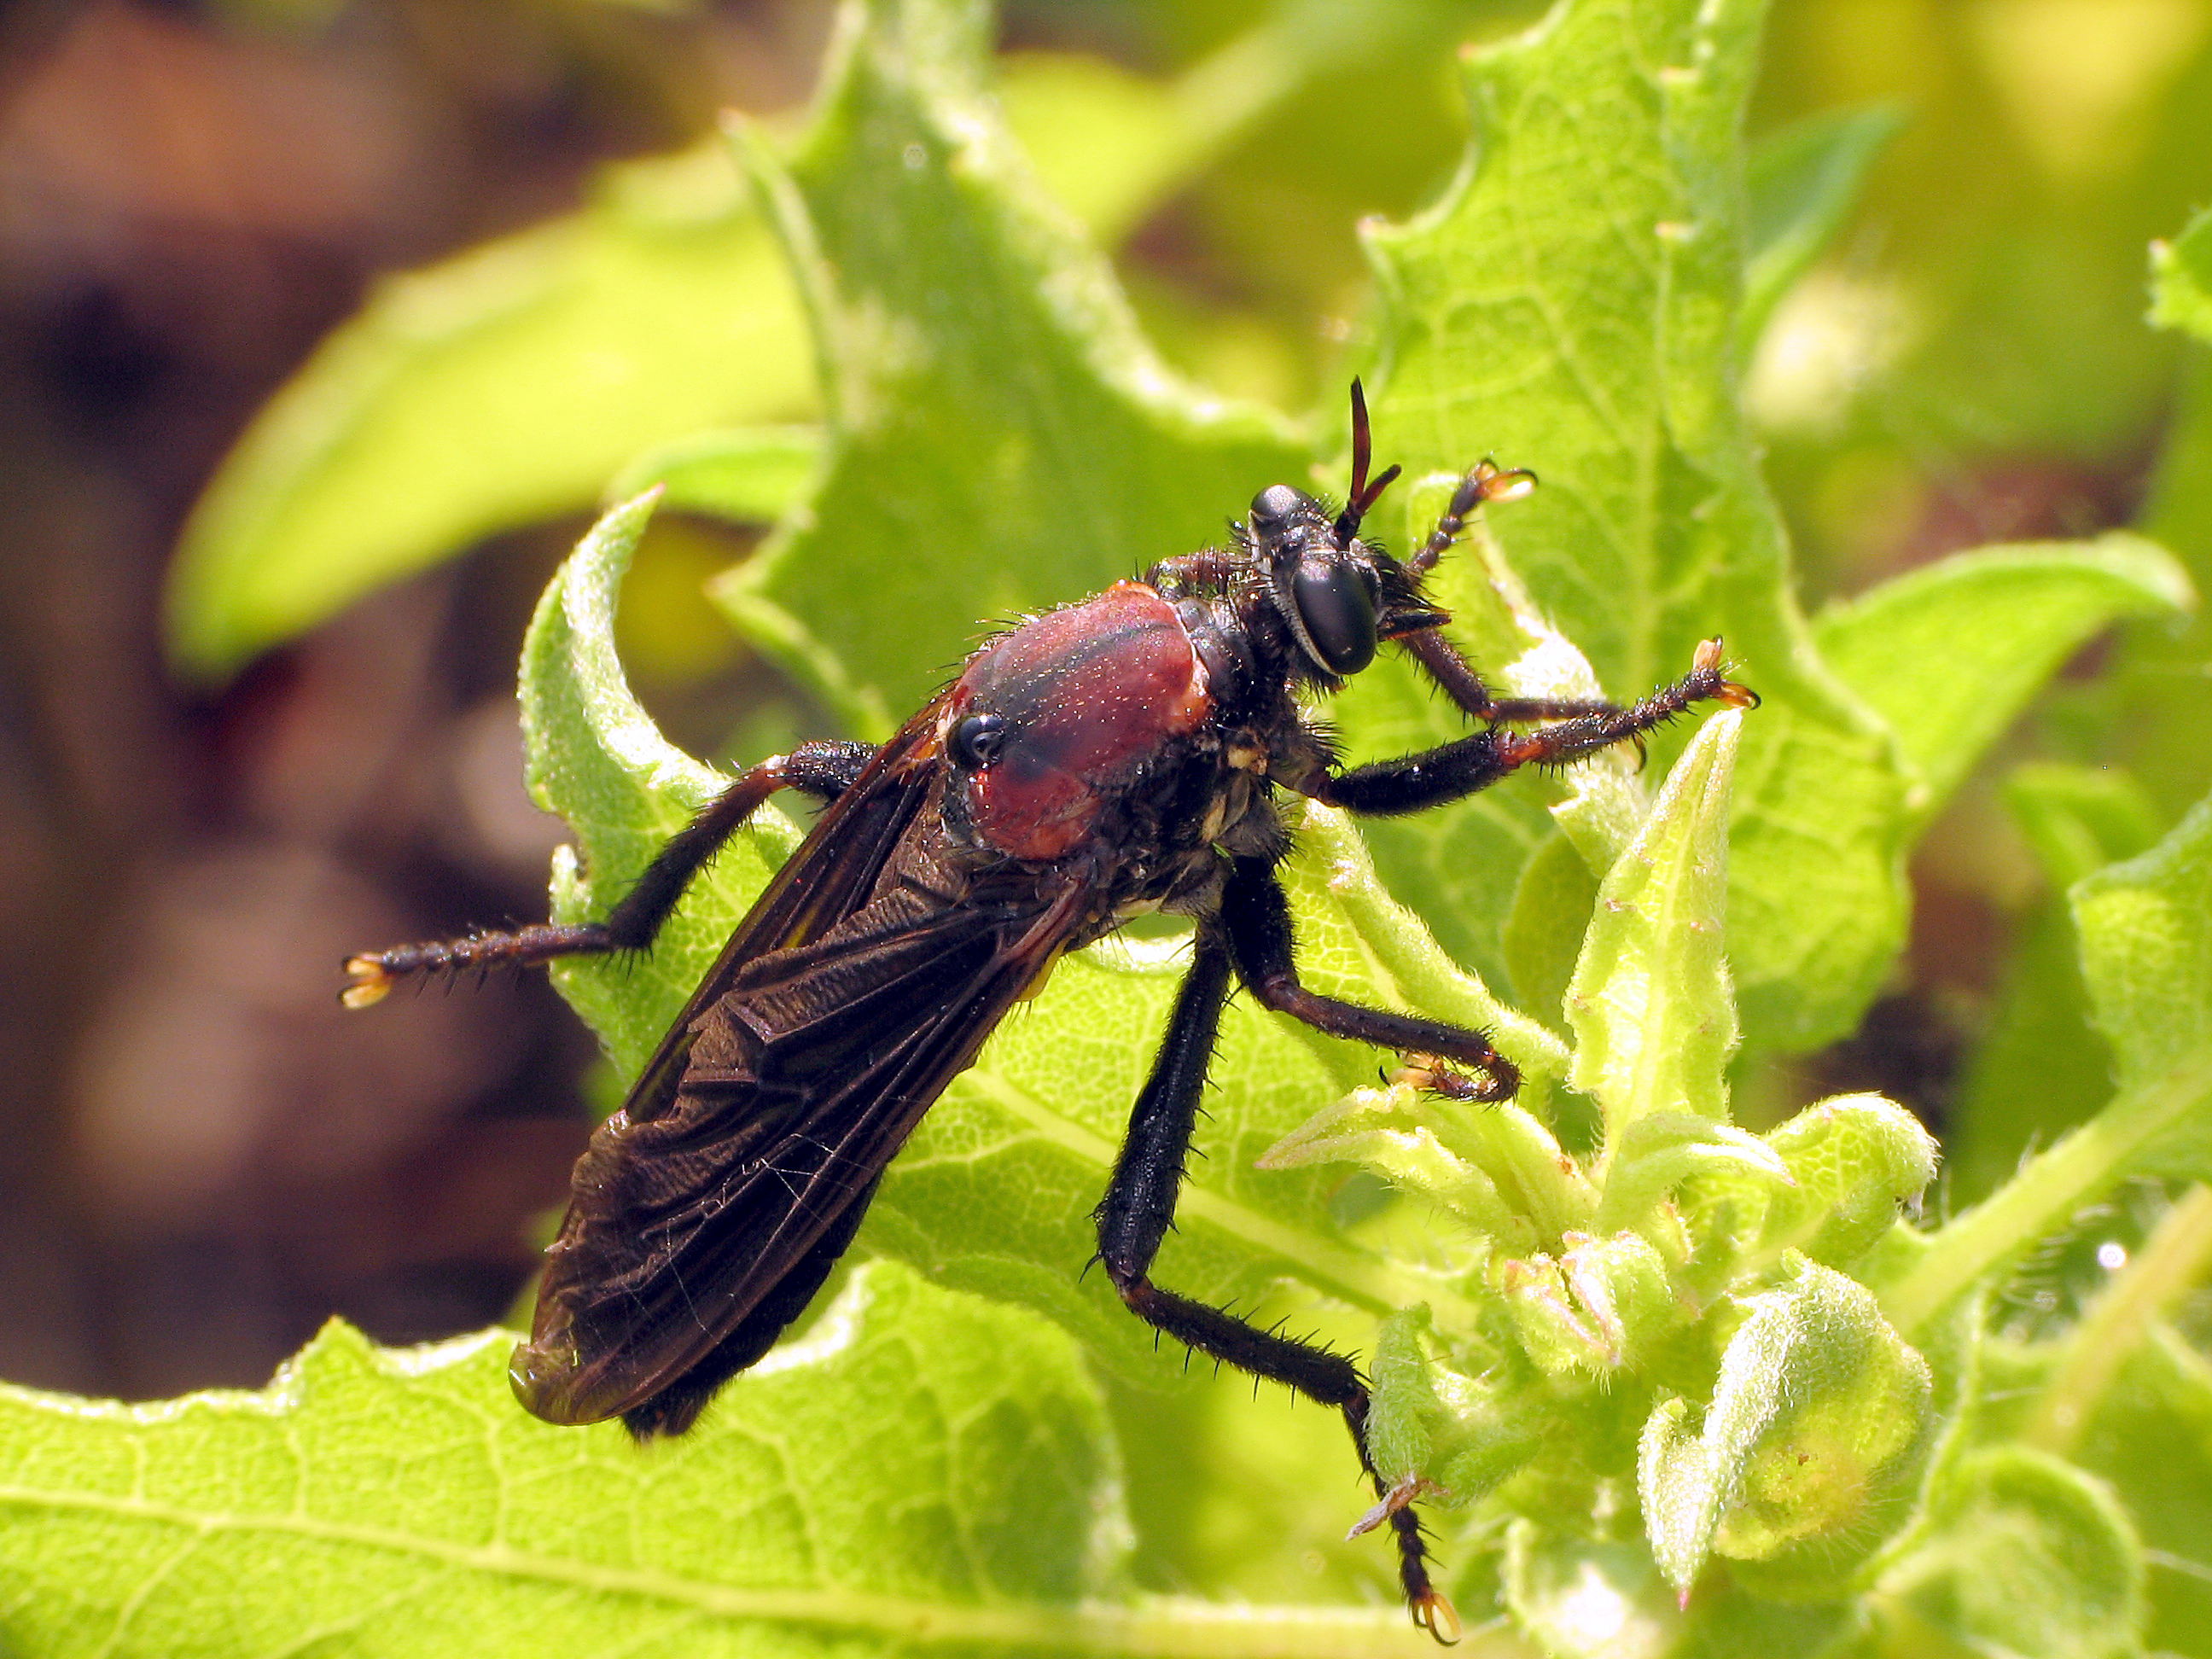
x: 1572, y: 306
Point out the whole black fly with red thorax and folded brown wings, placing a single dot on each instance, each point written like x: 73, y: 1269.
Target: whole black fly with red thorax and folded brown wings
x: 1112, y: 758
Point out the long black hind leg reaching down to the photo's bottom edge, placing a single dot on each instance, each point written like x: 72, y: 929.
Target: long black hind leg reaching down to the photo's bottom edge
x: 1140, y: 1209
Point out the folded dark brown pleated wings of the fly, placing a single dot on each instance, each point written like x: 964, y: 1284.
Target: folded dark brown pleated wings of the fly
x: 702, y: 1227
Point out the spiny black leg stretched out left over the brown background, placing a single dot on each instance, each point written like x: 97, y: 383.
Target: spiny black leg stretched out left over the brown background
x: 824, y: 771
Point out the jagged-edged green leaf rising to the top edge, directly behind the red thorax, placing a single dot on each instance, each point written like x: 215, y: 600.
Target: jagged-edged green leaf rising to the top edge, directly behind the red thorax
x: 932, y: 264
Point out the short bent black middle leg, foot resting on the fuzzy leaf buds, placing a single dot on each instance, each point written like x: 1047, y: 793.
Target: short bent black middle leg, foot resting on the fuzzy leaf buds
x: 1258, y: 921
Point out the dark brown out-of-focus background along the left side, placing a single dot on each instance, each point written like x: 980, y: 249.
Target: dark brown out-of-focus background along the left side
x: 200, y: 1158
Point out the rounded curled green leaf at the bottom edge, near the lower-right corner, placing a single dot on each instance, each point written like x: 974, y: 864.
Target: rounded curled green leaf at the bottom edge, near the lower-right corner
x: 2030, y: 1556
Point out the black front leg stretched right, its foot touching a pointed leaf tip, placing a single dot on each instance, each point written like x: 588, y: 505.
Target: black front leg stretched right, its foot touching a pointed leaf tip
x: 1457, y: 771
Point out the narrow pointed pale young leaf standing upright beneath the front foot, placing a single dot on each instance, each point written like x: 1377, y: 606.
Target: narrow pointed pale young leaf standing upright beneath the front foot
x: 1651, y: 1003
